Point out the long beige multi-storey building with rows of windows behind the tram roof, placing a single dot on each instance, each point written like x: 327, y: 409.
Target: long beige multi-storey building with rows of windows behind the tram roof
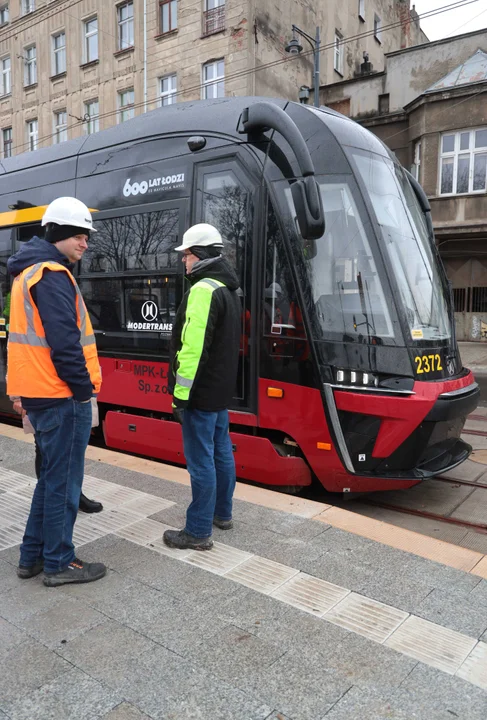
x: 74, y: 67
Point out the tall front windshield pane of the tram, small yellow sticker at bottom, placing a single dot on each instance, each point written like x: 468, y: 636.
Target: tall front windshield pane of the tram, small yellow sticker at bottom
x: 405, y: 237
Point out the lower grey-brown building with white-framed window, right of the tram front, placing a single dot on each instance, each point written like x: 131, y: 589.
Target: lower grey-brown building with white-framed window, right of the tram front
x: 429, y: 106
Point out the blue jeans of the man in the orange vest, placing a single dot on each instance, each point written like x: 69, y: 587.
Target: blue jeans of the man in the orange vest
x: 62, y: 433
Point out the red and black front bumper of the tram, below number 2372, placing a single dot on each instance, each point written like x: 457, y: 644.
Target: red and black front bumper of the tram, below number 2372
x: 415, y: 437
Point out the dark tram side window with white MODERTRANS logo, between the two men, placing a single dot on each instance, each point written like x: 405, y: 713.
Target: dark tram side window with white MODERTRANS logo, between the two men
x: 131, y: 280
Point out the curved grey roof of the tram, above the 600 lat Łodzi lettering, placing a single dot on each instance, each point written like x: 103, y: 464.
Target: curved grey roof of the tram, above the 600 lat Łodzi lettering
x: 195, y: 117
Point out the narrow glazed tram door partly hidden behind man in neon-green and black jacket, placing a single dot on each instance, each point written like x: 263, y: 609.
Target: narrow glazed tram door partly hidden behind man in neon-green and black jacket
x: 225, y: 199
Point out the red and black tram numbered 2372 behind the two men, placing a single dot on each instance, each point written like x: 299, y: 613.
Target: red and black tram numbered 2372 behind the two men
x: 349, y: 367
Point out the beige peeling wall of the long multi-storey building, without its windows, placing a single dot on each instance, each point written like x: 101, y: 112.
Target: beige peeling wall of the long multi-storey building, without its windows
x: 253, y: 36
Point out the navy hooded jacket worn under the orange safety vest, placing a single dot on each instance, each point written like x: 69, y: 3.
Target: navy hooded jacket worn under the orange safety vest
x: 55, y: 298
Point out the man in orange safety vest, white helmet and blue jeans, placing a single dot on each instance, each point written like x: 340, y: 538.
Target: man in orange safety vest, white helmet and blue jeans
x: 53, y: 367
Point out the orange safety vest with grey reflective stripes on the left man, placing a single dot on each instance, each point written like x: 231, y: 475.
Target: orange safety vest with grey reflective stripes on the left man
x: 31, y: 372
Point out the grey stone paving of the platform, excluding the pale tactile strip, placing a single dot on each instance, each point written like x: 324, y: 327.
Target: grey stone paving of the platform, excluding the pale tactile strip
x: 160, y: 638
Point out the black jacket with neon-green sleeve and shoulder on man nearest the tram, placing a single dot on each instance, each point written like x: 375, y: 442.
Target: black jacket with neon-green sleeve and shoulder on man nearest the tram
x: 206, y: 338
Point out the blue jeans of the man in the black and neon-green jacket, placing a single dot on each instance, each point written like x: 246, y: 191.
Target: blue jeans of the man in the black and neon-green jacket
x: 210, y: 462
